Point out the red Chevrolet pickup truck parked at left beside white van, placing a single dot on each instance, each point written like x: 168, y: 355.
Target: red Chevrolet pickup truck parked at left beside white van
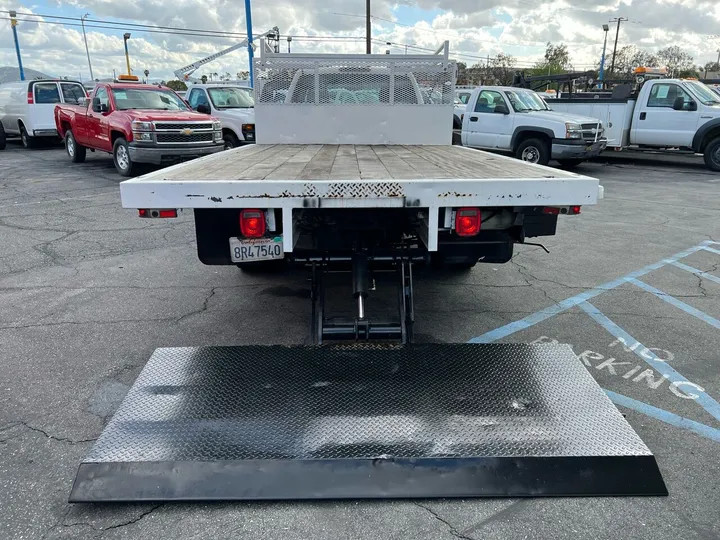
x: 137, y: 123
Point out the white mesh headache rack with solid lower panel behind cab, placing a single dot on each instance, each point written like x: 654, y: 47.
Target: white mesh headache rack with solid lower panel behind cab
x: 354, y: 99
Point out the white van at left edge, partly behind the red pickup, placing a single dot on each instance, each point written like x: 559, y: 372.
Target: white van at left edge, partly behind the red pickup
x: 27, y: 108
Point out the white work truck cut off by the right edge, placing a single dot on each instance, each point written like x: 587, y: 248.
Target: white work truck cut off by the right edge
x: 661, y: 114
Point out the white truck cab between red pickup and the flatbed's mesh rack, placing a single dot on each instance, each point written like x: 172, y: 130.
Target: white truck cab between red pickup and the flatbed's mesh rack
x: 232, y: 103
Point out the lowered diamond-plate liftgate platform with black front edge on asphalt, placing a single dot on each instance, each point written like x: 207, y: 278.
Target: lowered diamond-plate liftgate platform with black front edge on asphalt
x: 365, y: 421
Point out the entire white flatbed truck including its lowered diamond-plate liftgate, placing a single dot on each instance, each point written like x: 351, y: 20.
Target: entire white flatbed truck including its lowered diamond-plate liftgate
x: 347, y: 180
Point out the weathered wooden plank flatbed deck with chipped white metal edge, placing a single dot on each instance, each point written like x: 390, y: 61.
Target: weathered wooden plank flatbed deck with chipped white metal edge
x: 425, y: 176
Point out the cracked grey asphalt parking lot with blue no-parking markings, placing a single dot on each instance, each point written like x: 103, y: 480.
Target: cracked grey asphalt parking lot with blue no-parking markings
x: 88, y: 291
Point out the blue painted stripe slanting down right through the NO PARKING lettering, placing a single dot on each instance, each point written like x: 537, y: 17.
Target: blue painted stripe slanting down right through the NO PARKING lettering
x: 662, y: 367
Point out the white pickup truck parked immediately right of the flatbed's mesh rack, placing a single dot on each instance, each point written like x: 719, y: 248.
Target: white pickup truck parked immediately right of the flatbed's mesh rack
x: 518, y: 121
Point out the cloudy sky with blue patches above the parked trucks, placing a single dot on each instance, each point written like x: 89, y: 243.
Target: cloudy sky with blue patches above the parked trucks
x: 474, y: 28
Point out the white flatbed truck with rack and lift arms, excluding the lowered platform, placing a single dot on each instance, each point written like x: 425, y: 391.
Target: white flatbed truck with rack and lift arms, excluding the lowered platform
x: 346, y: 175
